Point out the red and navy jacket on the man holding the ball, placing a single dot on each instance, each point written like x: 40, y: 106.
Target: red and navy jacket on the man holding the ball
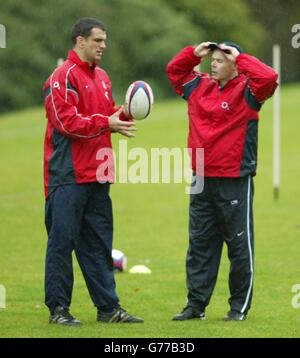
x: 78, y: 102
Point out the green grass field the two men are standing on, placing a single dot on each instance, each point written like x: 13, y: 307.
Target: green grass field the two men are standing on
x: 151, y: 228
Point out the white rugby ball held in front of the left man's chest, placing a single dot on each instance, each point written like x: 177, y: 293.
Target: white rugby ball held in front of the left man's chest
x: 139, y: 100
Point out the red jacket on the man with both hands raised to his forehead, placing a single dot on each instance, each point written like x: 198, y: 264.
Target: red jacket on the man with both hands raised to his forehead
x: 223, y: 121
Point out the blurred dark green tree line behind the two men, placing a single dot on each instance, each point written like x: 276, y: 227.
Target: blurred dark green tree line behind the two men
x: 143, y: 35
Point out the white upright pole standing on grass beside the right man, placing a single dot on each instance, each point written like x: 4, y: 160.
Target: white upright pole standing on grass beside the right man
x: 276, y: 124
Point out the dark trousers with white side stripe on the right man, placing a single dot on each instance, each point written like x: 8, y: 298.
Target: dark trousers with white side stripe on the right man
x: 221, y: 213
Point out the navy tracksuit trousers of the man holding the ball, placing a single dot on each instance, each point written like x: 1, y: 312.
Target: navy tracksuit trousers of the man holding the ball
x: 79, y: 217
